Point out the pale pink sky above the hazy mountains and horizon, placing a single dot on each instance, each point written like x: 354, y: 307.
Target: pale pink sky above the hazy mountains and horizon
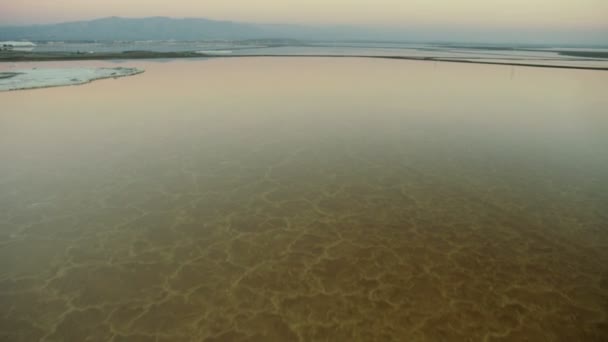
x: 533, y: 14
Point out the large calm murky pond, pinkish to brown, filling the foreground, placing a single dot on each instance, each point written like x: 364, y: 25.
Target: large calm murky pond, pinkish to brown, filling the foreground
x: 270, y: 199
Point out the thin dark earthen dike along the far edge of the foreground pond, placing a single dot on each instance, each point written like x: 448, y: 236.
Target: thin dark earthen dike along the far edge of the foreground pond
x: 14, y: 56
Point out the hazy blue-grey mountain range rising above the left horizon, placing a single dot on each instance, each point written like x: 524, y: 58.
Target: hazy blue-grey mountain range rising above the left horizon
x: 162, y: 28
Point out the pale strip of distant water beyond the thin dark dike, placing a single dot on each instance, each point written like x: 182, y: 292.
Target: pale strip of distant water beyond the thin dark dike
x: 537, y: 56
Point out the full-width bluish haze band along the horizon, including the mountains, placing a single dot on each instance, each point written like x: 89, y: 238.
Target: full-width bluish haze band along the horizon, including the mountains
x: 196, y: 29
